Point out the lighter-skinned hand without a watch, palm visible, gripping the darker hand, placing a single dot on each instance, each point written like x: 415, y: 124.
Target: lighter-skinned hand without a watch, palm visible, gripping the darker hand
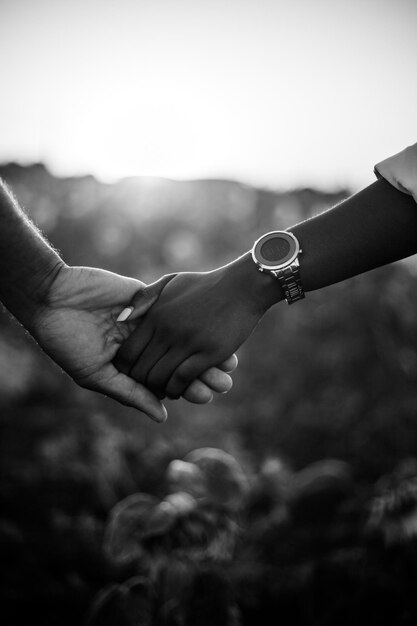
x: 77, y: 327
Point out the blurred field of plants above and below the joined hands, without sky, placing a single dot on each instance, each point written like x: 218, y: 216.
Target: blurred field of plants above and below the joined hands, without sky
x: 321, y: 422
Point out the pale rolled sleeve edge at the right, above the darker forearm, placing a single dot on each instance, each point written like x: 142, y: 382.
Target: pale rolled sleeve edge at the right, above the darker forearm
x: 401, y: 170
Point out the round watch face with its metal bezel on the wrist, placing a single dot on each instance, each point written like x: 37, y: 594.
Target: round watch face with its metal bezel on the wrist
x: 274, y: 250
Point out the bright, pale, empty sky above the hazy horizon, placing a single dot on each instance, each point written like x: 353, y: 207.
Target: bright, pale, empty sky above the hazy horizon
x: 270, y: 92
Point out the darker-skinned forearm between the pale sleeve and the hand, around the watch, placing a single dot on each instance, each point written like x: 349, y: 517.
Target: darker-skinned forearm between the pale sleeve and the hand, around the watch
x: 374, y: 227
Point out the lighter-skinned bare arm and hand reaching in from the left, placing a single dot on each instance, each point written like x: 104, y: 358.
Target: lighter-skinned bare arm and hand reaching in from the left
x: 72, y: 311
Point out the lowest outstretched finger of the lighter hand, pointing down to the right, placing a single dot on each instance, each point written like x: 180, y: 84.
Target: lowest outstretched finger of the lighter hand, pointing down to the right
x: 128, y: 392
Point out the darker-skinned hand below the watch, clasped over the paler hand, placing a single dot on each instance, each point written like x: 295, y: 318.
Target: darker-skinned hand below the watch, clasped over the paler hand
x: 198, y: 320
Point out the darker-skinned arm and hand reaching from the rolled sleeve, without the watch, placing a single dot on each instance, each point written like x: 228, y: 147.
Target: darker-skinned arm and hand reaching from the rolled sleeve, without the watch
x: 219, y: 309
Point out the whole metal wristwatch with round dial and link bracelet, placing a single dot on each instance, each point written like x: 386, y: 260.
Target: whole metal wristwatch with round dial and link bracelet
x: 277, y: 253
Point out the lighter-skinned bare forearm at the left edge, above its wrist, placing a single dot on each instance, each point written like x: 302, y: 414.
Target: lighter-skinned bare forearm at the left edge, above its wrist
x: 28, y: 264
